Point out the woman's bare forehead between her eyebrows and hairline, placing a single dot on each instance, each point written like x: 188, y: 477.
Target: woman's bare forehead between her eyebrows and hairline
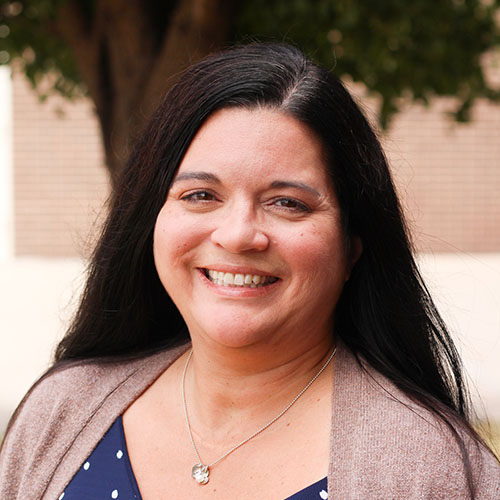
x: 260, y: 142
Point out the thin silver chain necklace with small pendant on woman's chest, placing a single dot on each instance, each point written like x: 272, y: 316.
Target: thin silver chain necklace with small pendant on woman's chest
x: 201, y: 472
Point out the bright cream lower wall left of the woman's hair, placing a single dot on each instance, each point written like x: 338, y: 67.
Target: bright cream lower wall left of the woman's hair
x: 37, y: 298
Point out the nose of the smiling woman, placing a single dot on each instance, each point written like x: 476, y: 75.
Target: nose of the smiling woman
x: 238, y: 231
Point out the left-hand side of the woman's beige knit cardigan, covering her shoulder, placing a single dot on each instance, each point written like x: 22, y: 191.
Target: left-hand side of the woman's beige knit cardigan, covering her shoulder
x: 64, y: 416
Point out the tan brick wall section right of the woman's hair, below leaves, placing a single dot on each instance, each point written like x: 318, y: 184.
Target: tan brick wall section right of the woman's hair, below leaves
x: 448, y: 175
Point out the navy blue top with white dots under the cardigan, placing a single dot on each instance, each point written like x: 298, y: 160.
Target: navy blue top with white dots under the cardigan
x: 107, y: 474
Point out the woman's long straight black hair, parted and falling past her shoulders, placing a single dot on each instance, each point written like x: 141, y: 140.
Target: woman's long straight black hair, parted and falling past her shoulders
x: 385, y: 314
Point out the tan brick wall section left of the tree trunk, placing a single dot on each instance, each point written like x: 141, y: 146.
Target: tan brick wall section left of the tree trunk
x: 59, y: 181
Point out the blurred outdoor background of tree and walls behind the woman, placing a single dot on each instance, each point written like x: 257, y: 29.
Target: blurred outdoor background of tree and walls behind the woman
x: 78, y: 80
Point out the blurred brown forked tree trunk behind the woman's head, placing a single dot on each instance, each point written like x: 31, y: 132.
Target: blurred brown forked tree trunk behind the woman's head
x: 129, y: 52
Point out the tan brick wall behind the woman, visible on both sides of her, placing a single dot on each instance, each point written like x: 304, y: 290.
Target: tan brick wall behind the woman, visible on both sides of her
x: 448, y: 175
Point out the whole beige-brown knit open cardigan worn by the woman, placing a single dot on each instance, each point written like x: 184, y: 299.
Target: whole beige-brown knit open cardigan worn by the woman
x: 383, y: 446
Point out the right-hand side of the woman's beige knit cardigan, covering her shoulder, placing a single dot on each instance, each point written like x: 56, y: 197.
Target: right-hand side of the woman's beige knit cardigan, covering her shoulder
x: 396, y: 444
